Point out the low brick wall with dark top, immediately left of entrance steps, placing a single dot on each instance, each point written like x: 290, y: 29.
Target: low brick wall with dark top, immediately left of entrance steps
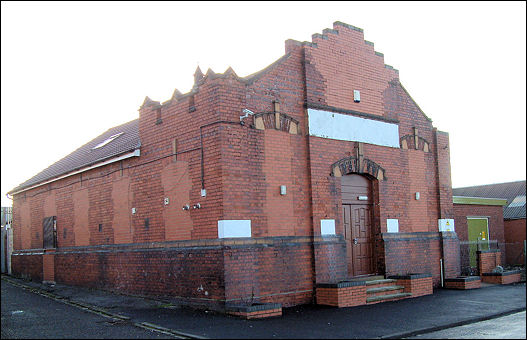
x: 342, y: 294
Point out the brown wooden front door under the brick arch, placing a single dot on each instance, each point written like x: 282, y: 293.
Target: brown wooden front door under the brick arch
x: 357, y: 209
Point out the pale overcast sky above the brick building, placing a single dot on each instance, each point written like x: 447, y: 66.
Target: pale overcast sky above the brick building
x: 70, y: 71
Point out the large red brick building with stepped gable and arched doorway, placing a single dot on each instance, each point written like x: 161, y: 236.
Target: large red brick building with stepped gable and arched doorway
x: 319, y: 168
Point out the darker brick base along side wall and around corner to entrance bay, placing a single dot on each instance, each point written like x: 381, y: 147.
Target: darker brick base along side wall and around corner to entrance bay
x: 208, y: 273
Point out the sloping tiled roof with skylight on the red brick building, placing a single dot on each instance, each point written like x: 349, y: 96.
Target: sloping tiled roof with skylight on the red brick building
x: 114, y: 142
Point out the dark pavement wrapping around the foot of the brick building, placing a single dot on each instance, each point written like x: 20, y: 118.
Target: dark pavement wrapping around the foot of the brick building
x: 398, y: 319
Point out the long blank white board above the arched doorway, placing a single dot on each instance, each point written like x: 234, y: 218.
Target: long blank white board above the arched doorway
x: 339, y: 126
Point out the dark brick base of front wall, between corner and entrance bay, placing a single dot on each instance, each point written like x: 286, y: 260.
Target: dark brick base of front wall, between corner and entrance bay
x: 278, y: 271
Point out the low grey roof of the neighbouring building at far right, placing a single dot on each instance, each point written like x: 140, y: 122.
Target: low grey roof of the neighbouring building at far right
x: 511, y: 191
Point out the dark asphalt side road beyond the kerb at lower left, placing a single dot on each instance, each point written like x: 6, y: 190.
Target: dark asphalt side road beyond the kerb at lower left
x: 30, y: 316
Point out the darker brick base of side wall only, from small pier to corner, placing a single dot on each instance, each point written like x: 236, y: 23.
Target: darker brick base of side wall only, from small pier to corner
x: 190, y: 273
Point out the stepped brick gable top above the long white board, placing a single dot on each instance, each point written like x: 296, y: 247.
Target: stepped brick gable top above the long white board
x: 331, y: 80
